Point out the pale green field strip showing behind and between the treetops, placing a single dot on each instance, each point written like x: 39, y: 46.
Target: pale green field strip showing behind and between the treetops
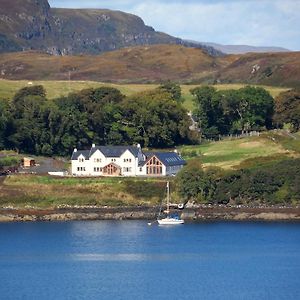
x: 62, y: 88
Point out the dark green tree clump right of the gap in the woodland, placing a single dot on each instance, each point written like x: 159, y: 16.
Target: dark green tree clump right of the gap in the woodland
x: 243, y: 110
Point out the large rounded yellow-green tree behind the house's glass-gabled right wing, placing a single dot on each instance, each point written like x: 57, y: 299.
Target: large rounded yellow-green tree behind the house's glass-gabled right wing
x: 154, y: 119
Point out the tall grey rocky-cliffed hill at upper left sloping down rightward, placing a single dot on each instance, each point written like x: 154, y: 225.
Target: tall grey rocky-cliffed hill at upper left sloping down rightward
x: 34, y: 25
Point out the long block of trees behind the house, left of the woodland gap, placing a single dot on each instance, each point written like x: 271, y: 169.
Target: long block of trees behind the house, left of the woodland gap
x: 31, y: 123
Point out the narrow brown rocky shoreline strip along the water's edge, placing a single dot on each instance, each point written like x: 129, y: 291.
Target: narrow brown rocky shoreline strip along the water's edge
x: 196, y: 213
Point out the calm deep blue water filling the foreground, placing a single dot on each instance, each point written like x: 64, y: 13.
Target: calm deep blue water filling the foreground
x: 130, y: 260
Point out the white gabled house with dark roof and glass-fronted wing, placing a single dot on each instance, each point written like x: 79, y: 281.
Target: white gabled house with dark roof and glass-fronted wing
x: 124, y: 161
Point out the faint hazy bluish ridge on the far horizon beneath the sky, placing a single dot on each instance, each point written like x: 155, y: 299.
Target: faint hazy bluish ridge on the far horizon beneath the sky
x: 241, y: 49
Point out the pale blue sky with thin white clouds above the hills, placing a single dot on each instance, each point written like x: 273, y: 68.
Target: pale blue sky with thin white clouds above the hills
x: 246, y: 22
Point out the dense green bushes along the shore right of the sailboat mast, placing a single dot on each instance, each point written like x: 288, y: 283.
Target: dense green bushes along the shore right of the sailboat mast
x: 278, y: 183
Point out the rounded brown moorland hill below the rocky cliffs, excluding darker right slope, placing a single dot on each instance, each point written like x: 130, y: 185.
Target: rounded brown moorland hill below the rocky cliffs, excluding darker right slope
x: 138, y: 64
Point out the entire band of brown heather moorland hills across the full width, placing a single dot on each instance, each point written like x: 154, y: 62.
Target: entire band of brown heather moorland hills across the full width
x: 156, y: 63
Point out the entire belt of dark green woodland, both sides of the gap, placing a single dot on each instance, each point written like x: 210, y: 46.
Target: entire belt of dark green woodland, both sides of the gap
x: 30, y: 123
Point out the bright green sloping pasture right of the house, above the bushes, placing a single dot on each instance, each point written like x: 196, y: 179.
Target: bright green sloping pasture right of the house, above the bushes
x: 230, y: 154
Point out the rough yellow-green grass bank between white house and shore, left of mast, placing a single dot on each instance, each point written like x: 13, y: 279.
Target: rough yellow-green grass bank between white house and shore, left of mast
x: 45, y: 191
